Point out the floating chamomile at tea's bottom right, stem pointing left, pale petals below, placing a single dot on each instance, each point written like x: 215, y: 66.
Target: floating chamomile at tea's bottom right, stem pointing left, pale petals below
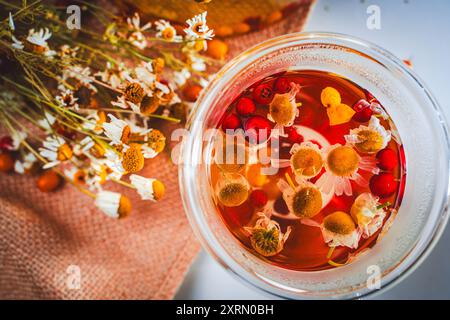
x: 338, y: 229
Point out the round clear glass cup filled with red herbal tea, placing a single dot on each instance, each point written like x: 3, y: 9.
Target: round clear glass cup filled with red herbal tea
x: 317, y: 166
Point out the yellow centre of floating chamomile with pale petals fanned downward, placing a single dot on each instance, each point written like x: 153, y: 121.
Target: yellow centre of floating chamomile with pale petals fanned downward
x: 343, y: 161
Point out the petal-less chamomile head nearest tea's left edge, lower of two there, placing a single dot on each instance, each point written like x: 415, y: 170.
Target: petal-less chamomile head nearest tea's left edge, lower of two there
x: 232, y: 190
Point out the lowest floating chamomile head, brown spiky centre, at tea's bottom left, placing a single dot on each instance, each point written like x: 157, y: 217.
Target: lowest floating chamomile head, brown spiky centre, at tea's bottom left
x: 266, y: 236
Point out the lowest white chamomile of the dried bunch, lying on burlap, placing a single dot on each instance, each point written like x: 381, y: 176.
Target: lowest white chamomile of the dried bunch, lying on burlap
x: 113, y: 204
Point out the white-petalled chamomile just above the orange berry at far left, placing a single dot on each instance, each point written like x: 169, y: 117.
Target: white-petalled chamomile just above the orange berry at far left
x: 56, y: 150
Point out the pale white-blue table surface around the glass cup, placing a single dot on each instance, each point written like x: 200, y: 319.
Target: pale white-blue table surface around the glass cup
x: 411, y: 29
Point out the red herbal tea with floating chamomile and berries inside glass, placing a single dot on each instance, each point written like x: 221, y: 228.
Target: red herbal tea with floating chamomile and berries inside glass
x: 314, y: 170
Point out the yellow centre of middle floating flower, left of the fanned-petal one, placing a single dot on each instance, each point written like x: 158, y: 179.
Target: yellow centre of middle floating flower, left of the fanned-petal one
x: 307, y: 162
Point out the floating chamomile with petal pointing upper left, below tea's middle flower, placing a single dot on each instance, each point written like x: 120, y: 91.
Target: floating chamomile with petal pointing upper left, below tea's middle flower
x: 304, y: 201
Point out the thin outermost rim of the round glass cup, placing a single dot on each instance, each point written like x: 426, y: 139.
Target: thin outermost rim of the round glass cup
x: 360, y: 46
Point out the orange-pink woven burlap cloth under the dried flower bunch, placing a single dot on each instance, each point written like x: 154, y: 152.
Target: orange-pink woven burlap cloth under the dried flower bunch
x: 46, y: 238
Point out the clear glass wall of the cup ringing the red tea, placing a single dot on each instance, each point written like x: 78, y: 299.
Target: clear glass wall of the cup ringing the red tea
x: 423, y: 214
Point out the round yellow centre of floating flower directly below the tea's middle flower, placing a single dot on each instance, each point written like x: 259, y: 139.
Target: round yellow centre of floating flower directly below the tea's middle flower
x: 307, y: 202
